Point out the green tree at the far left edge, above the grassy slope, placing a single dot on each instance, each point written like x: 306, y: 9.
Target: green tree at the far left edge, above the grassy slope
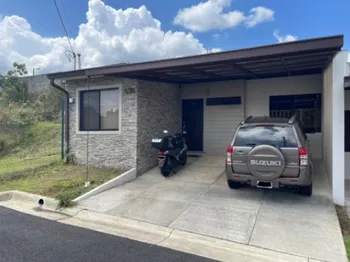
x: 12, y: 86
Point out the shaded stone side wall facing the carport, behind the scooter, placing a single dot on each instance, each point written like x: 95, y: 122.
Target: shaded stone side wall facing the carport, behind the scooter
x: 159, y: 108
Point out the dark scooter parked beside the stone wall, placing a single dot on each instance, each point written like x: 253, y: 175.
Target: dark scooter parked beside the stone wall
x: 172, y: 152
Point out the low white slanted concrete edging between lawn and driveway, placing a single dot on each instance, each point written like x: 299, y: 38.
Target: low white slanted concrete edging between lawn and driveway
x: 117, y: 181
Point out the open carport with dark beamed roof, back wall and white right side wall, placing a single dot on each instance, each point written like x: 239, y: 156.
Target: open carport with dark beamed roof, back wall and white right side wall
x: 218, y: 90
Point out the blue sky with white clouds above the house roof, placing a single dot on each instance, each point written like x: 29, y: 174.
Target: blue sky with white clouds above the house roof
x: 113, y: 31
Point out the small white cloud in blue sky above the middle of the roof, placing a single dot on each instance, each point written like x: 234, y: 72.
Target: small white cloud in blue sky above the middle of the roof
x: 210, y: 15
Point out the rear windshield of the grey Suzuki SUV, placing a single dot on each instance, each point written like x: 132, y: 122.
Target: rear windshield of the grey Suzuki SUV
x: 278, y: 136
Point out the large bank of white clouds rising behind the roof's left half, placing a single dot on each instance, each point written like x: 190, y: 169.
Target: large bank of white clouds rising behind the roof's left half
x: 108, y: 36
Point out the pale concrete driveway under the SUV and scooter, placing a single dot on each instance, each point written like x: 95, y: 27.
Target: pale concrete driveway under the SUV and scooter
x: 197, y: 199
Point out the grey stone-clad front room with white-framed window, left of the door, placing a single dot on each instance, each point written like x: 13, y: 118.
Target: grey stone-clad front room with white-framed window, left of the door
x: 144, y: 109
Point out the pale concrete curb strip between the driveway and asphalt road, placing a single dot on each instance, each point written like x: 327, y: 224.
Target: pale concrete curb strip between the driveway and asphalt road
x: 176, y: 239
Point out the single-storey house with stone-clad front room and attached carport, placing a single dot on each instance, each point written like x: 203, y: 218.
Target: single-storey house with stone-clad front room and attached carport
x: 114, y: 111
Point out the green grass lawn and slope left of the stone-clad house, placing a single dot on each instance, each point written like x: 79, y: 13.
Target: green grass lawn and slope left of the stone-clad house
x: 35, y: 167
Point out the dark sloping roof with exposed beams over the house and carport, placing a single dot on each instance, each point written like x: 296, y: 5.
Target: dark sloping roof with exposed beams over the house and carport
x: 286, y: 59
